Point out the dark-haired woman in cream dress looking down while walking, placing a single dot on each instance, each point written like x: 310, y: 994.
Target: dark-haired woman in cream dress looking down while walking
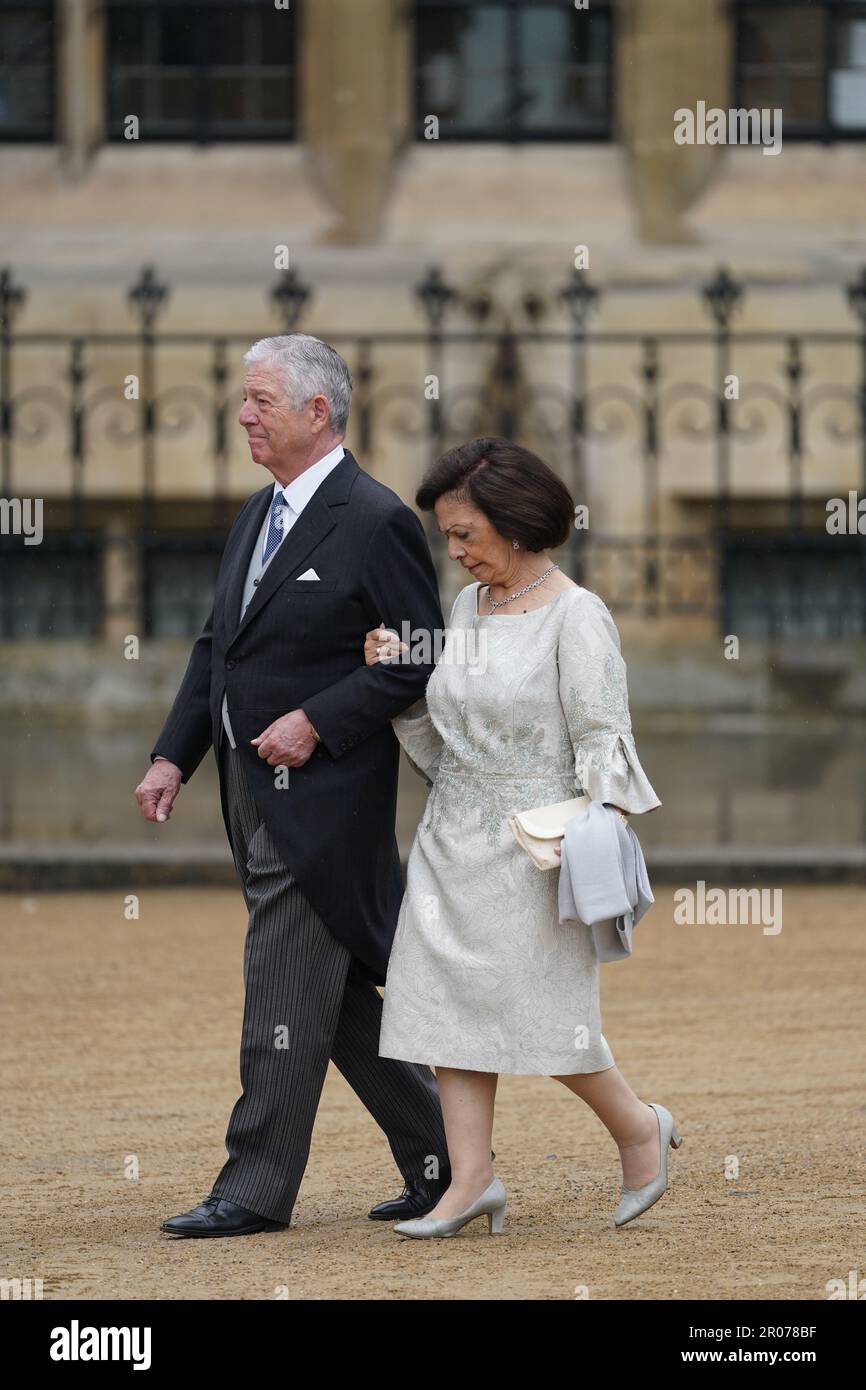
x: 483, y: 978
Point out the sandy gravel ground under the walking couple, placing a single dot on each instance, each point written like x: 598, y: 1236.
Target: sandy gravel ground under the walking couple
x: 120, y: 1058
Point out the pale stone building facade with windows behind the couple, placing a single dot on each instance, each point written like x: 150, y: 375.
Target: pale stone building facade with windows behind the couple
x: 555, y: 147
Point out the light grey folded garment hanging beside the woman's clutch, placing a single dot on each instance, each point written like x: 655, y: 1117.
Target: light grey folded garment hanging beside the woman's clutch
x: 604, y: 882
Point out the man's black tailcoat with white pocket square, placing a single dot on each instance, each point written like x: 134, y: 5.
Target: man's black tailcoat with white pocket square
x: 301, y: 646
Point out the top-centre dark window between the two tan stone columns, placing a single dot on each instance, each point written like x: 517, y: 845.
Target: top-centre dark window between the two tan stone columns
x: 514, y: 70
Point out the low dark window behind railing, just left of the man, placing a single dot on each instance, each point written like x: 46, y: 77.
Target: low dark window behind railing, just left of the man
x: 180, y: 578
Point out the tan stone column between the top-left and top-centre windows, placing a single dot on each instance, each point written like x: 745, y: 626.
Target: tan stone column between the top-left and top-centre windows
x: 355, y: 85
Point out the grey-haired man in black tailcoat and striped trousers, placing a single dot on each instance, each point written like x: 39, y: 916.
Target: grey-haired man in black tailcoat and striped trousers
x: 308, y: 779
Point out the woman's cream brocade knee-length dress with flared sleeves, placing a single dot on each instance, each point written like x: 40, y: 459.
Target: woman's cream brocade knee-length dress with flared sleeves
x: 522, y: 711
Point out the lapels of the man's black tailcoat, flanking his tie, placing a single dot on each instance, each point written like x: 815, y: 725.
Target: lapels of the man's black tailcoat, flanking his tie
x: 311, y: 529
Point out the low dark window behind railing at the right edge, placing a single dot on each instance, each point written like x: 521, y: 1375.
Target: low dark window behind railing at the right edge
x: 796, y: 587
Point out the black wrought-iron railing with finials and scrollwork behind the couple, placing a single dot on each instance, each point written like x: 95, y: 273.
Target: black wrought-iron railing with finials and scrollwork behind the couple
x: 682, y: 475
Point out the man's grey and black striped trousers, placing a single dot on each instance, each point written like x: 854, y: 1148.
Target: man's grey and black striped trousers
x: 305, y: 1007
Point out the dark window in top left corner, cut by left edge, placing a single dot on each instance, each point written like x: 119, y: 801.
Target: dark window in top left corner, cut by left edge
x: 27, y: 72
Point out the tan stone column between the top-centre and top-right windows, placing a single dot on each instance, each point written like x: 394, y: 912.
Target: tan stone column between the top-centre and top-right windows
x: 671, y: 54
